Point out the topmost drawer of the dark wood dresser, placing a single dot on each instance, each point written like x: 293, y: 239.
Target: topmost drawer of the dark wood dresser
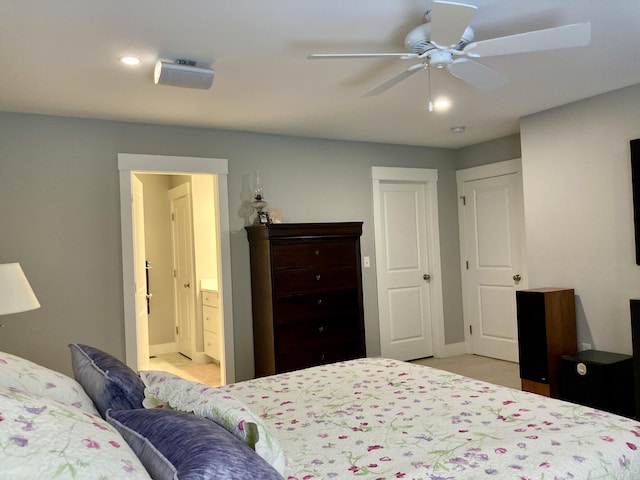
x: 304, y: 254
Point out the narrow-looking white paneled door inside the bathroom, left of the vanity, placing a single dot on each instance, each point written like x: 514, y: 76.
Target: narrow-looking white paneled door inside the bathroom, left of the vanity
x: 183, y: 265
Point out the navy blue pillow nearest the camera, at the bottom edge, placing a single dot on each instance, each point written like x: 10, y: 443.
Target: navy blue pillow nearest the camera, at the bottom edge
x: 173, y: 444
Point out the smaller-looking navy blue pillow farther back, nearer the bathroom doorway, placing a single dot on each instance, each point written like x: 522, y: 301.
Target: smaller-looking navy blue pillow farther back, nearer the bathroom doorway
x: 108, y: 381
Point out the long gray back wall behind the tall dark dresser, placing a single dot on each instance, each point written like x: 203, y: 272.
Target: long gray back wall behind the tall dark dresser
x: 60, y: 212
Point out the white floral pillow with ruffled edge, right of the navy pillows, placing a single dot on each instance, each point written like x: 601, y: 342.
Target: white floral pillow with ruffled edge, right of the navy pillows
x: 165, y: 389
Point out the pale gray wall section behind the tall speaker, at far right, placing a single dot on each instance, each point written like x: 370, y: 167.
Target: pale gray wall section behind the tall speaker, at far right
x: 579, y: 211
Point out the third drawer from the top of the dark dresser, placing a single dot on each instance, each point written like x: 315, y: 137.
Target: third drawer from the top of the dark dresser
x: 291, y: 308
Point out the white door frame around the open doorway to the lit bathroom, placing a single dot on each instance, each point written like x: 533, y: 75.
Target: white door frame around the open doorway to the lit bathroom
x: 165, y: 164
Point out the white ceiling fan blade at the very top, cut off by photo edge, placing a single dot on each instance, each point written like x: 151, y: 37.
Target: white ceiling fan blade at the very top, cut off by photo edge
x: 449, y: 21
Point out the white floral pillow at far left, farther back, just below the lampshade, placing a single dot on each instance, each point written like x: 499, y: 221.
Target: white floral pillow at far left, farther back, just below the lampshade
x: 21, y: 374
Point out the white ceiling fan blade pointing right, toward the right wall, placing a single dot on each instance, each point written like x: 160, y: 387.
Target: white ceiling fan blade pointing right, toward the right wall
x: 576, y: 35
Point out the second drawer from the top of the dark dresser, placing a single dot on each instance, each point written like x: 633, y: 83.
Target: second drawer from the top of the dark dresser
x: 316, y: 278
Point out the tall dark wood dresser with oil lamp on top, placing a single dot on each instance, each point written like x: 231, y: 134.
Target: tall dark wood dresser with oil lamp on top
x: 306, y: 289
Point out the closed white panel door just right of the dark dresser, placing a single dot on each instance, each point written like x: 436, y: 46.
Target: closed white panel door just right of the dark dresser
x: 404, y: 269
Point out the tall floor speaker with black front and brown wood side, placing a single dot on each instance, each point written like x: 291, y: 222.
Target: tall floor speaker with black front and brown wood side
x: 546, y: 331
